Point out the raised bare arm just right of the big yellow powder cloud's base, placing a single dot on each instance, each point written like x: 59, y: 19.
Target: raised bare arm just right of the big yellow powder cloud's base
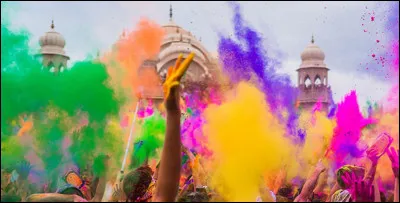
x: 311, y: 182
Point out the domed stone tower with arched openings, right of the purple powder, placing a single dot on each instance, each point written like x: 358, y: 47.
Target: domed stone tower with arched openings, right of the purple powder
x: 313, y: 78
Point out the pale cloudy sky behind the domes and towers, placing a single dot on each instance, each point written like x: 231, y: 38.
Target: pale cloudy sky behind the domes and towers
x: 286, y: 26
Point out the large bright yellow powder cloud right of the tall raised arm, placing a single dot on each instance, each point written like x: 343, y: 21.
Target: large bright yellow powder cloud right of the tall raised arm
x: 246, y: 140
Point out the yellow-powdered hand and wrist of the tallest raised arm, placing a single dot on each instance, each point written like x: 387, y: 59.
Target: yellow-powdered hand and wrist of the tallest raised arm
x: 172, y: 82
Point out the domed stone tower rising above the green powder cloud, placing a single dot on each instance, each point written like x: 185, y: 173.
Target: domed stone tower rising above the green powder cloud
x: 52, y: 51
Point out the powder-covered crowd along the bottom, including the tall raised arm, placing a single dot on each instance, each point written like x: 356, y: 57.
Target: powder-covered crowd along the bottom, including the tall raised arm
x: 172, y: 182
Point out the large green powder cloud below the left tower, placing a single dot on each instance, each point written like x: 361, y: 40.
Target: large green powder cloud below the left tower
x: 26, y: 88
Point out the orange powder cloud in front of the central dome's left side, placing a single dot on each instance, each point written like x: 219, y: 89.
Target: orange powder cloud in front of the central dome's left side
x: 127, y: 56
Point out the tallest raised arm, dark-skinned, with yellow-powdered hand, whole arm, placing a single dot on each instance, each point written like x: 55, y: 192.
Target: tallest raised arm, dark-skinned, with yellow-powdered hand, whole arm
x: 170, y: 167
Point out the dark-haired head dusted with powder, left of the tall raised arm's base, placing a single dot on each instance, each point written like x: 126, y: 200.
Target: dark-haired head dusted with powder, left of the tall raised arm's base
x: 136, y: 182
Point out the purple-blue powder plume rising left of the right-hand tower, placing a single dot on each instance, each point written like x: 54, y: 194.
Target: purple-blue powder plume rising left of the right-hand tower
x: 247, y: 56
